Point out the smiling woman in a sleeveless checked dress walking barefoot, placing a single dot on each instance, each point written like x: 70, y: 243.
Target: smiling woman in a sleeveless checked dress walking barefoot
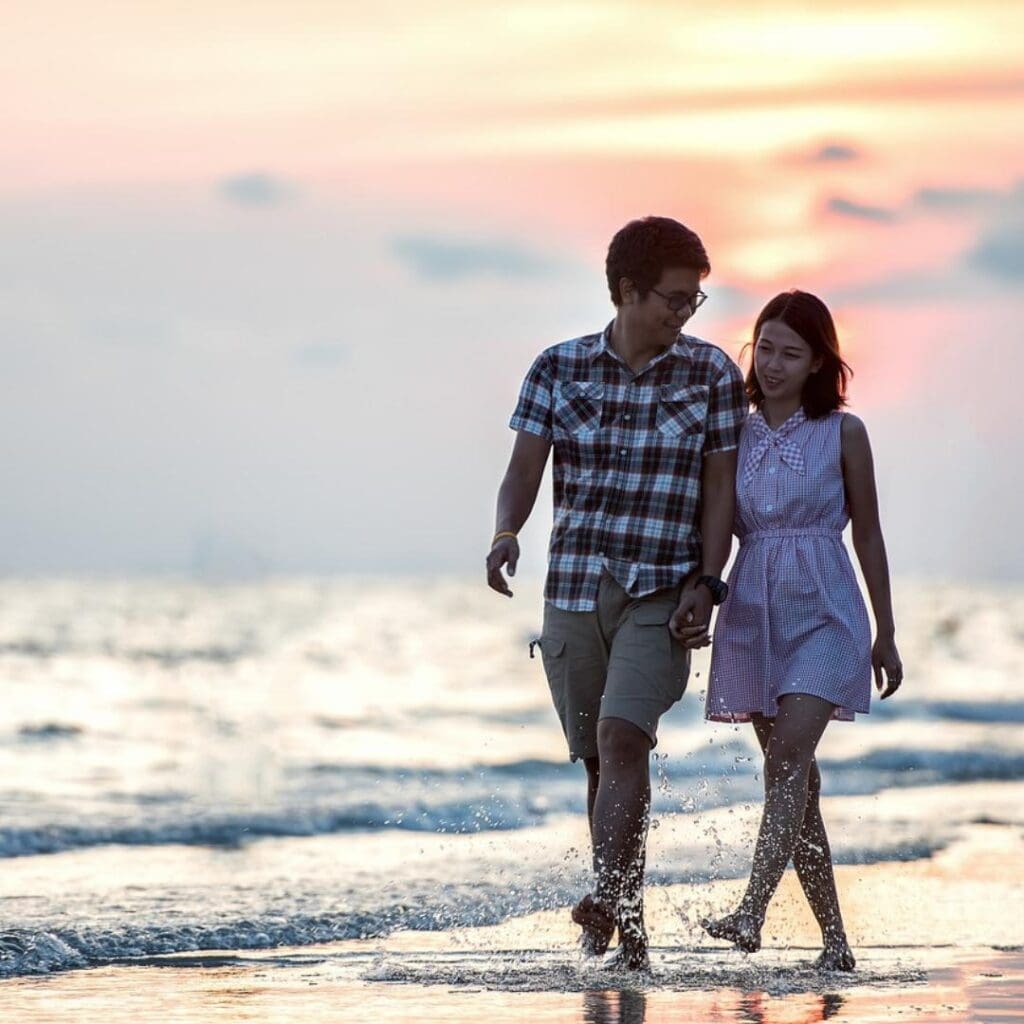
x: 793, y: 647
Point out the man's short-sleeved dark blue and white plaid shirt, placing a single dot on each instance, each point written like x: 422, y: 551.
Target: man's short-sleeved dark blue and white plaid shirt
x: 628, y: 452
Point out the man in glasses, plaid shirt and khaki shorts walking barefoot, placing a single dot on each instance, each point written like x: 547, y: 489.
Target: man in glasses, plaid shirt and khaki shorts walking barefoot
x: 645, y: 422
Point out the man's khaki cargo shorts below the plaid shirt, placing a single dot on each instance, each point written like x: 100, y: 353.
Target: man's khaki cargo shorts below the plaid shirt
x: 618, y: 662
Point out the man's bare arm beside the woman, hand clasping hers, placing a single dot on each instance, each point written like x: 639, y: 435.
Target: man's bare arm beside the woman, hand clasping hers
x: 718, y: 506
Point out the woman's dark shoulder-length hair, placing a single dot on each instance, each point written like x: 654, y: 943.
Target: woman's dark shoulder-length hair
x: 825, y: 392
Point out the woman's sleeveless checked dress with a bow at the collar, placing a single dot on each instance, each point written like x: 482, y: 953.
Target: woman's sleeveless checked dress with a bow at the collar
x: 795, y: 621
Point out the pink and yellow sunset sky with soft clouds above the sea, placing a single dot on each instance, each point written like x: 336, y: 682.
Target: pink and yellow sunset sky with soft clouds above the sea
x: 273, y: 273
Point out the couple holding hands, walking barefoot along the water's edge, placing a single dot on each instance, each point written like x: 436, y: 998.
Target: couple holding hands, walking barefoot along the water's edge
x: 657, y: 464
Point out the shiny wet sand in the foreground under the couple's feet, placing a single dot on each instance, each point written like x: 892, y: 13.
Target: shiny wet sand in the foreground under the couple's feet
x: 937, y: 941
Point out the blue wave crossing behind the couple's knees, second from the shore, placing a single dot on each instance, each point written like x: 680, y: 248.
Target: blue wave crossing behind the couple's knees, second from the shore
x: 331, y: 799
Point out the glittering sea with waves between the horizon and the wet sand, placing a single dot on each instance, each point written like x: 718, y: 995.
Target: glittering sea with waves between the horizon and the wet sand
x: 198, y: 765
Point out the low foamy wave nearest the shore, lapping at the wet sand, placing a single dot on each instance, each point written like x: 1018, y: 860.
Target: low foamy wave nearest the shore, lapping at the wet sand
x: 482, y: 895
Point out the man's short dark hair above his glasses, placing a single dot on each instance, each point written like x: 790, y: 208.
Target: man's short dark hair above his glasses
x: 645, y: 249
